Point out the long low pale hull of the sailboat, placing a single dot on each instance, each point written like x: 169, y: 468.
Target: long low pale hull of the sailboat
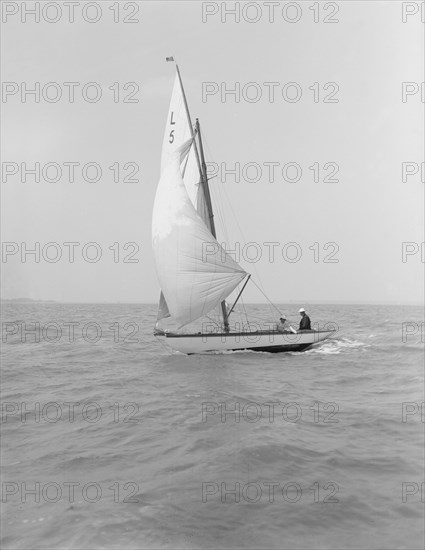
x: 269, y: 341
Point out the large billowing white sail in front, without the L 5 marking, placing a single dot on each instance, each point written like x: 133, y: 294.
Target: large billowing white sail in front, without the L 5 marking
x: 194, y: 271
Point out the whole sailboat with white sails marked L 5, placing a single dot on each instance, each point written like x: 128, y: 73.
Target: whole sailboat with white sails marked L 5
x: 195, y: 272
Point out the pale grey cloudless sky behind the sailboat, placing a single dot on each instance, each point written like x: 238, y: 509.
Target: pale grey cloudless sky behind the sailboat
x: 338, y: 132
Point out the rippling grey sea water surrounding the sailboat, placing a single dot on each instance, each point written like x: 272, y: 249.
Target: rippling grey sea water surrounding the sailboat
x: 111, y: 441
